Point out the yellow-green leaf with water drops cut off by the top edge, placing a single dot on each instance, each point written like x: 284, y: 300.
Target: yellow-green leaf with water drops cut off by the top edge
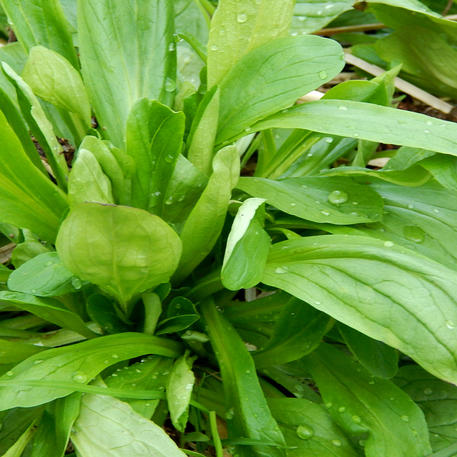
x: 237, y: 28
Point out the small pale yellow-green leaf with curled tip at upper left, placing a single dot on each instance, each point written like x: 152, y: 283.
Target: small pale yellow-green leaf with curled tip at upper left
x: 54, y: 79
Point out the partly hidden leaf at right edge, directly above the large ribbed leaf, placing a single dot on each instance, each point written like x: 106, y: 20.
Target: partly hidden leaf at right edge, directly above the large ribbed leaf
x: 421, y: 218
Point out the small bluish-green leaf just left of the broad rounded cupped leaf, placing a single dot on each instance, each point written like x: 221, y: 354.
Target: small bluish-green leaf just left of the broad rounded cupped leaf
x: 43, y: 276
